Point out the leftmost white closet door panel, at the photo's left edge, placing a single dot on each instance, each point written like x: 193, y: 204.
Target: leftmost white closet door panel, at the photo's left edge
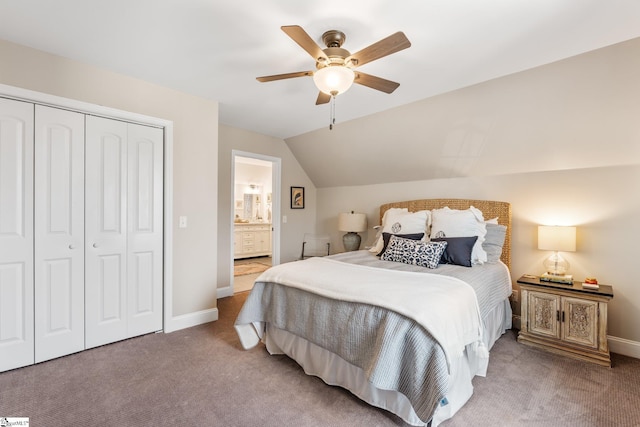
x: 16, y: 234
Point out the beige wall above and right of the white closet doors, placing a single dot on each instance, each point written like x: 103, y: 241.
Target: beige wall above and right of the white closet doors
x: 195, y: 146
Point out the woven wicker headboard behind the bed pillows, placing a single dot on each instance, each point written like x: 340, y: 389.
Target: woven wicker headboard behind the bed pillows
x: 490, y: 209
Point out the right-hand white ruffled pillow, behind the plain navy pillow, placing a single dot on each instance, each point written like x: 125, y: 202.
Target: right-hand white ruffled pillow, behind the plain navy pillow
x: 448, y: 222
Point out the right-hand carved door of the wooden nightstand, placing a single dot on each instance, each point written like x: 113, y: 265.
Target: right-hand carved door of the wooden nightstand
x: 580, y: 324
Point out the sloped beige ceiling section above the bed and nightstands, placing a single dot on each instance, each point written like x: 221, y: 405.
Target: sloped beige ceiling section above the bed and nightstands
x: 581, y: 112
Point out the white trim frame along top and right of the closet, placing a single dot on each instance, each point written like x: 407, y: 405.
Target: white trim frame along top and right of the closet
x: 170, y: 323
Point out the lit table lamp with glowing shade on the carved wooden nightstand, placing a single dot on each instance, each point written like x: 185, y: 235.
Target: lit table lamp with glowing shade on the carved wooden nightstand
x: 557, y: 239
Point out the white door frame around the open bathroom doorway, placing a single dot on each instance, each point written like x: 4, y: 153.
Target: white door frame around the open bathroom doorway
x: 276, y: 179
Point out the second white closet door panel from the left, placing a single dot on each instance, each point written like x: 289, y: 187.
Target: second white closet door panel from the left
x: 59, y: 232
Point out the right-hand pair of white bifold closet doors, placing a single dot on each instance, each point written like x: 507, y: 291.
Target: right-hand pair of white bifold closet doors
x: 123, y: 230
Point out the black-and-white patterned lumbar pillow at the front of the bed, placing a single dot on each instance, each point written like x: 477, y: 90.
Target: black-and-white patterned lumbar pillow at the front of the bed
x: 424, y: 254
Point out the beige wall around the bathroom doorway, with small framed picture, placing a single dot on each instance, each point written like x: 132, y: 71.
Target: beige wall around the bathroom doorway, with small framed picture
x: 299, y: 221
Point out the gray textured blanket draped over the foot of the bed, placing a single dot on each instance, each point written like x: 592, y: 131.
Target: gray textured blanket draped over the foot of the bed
x: 395, y: 352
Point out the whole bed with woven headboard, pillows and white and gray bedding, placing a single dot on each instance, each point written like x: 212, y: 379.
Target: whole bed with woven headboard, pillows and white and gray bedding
x: 401, y: 335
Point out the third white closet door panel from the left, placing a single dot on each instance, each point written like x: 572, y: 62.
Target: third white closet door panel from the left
x: 106, y: 231
